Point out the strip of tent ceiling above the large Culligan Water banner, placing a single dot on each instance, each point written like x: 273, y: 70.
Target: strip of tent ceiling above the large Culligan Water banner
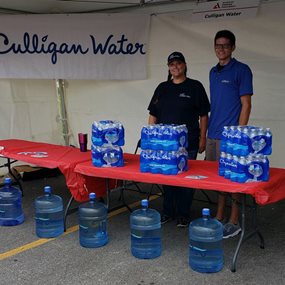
x: 94, y: 6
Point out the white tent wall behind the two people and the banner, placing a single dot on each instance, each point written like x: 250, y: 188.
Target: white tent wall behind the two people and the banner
x: 29, y: 111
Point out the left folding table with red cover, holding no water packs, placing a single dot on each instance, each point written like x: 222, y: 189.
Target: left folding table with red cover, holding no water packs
x: 65, y: 158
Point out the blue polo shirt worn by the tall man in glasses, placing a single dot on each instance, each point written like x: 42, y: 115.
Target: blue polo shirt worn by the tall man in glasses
x: 226, y: 87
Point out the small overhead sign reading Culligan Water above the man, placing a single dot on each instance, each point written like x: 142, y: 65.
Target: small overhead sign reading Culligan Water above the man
x: 217, y: 10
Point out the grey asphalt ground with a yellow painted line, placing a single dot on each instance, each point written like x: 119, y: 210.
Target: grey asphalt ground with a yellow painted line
x: 26, y: 259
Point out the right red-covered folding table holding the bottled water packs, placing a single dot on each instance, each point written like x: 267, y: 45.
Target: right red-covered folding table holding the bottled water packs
x: 201, y: 175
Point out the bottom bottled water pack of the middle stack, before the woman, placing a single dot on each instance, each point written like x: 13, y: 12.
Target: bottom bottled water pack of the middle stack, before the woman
x: 164, y: 162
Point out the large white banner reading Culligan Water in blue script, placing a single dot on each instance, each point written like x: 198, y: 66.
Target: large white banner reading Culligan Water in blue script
x: 82, y: 46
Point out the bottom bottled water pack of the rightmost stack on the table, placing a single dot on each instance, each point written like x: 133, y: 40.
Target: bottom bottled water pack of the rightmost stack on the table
x: 254, y: 167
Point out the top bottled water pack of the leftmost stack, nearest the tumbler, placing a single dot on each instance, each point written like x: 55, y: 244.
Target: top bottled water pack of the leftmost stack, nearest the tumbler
x: 108, y: 132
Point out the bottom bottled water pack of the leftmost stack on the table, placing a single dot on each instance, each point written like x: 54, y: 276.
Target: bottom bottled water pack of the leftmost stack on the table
x: 107, y: 155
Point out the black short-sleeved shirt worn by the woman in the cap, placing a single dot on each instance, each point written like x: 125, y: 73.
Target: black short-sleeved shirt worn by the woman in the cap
x: 181, y: 103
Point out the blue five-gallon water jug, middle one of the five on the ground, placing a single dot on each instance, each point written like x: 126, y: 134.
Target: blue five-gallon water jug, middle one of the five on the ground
x: 93, y: 223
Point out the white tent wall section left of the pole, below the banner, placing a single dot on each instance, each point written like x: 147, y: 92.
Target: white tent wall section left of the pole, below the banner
x: 28, y: 110
